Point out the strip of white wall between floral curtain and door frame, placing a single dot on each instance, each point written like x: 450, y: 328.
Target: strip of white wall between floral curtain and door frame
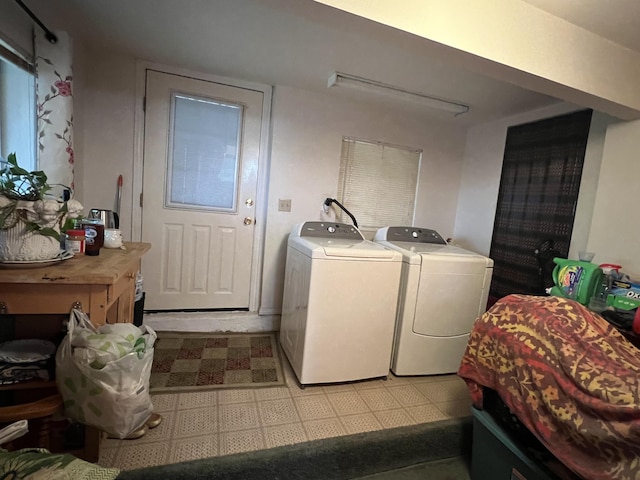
x: 104, y: 107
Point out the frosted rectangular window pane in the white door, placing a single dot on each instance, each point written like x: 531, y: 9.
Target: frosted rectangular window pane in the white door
x: 203, y: 153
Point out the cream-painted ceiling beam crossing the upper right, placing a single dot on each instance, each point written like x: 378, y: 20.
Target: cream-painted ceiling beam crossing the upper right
x: 513, y: 41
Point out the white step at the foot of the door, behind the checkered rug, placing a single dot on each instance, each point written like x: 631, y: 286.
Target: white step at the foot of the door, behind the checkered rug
x: 212, y: 322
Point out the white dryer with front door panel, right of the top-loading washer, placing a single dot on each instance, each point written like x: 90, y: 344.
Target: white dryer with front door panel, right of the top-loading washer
x: 442, y: 291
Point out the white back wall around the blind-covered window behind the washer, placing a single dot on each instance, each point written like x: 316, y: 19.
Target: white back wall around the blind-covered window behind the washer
x: 305, y: 160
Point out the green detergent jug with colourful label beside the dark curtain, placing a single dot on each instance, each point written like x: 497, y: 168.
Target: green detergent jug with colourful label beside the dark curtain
x: 576, y: 279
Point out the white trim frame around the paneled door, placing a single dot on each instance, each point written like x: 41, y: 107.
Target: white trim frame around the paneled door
x: 263, y: 161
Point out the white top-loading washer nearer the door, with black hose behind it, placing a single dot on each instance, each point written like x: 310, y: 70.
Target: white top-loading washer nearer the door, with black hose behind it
x: 339, y: 304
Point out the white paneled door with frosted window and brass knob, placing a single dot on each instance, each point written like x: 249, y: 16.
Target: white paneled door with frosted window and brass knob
x: 201, y: 153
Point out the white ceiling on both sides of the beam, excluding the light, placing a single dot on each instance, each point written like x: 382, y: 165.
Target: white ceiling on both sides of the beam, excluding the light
x: 300, y: 43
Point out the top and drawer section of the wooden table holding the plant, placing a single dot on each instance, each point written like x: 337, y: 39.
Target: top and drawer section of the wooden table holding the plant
x: 102, y: 286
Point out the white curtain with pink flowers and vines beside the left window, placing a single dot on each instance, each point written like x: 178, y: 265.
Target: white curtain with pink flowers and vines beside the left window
x: 55, y: 109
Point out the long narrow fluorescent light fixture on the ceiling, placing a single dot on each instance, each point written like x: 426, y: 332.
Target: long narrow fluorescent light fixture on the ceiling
x: 371, y: 86
